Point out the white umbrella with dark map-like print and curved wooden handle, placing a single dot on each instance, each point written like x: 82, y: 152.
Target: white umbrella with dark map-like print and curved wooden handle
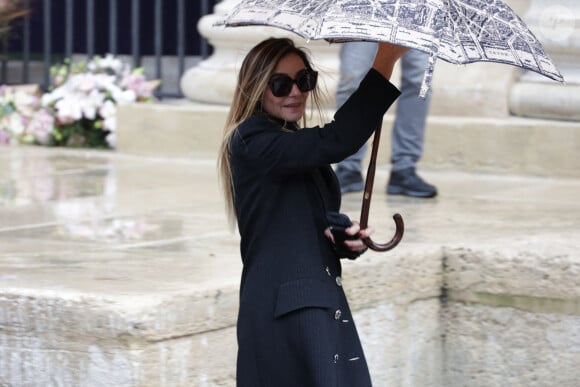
x: 457, y: 31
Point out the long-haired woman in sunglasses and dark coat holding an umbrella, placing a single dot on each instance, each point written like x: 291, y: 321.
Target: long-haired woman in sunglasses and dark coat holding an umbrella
x: 294, y: 326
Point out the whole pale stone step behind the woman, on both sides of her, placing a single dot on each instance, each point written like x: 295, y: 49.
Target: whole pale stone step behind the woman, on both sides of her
x: 508, y: 145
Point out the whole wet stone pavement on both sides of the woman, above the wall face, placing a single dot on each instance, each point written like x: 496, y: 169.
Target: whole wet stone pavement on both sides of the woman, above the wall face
x: 99, y: 222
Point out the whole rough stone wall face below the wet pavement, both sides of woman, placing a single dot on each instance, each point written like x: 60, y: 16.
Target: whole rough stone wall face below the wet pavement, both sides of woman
x: 485, y: 316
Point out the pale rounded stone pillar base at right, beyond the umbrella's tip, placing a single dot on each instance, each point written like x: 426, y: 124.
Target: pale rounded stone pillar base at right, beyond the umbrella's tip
x: 556, y: 24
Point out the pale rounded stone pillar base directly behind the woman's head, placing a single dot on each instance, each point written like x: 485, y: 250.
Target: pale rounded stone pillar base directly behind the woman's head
x: 213, y: 80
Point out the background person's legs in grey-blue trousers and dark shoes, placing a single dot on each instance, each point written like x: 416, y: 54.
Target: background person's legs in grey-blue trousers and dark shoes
x: 409, y: 127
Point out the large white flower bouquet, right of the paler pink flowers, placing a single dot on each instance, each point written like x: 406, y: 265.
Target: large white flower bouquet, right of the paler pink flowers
x: 84, y: 99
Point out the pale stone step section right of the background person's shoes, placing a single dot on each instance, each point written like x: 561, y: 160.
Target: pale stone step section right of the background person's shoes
x: 516, y: 146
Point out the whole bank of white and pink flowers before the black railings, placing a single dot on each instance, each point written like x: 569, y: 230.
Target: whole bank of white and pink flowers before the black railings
x: 79, y: 110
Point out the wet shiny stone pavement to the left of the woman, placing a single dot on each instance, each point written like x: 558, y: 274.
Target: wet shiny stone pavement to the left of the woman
x: 87, y: 222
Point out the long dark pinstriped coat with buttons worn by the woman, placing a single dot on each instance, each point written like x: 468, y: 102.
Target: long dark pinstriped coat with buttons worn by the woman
x: 294, y: 326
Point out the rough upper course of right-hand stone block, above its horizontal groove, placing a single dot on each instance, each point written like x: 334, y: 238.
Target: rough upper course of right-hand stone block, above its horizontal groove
x: 546, y: 268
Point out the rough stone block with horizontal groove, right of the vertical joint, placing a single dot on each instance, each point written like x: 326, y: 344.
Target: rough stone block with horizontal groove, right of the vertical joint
x: 512, y: 315
